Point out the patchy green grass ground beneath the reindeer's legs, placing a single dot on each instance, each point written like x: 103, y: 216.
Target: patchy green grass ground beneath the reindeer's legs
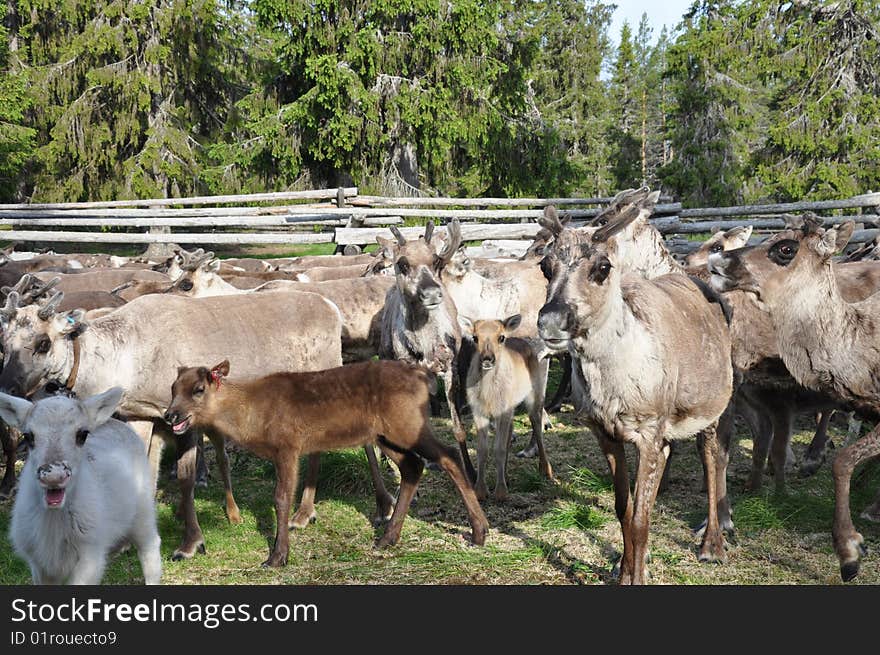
x: 545, y: 533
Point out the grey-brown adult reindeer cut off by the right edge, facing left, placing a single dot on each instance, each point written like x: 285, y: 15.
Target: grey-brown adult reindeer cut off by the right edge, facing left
x: 827, y: 344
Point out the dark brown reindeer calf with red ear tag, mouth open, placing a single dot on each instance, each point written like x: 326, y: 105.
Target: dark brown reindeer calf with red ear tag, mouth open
x: 283, y: 416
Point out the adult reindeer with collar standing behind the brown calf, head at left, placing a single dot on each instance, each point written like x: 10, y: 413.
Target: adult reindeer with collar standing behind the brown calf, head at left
x: 140, y: 346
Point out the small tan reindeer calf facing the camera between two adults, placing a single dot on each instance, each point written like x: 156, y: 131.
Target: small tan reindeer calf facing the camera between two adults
x: 505, y: 372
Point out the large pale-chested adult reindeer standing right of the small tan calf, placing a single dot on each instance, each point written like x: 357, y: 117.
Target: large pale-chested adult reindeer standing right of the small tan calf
x: 632, y: 340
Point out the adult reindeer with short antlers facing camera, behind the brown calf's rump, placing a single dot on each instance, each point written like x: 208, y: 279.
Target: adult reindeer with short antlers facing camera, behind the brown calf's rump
x: 420, y: 321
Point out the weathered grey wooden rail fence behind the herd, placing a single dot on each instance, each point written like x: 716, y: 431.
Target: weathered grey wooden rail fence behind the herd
x: 342, y: 217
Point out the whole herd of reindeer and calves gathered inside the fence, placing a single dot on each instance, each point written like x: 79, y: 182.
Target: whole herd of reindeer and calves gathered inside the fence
x: 312, y: 354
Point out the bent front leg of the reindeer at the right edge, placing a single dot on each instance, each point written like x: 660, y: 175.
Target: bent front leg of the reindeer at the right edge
x: 848, y: 543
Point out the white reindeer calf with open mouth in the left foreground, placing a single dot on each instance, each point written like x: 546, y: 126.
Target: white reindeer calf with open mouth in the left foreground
x: 86, y: 488
